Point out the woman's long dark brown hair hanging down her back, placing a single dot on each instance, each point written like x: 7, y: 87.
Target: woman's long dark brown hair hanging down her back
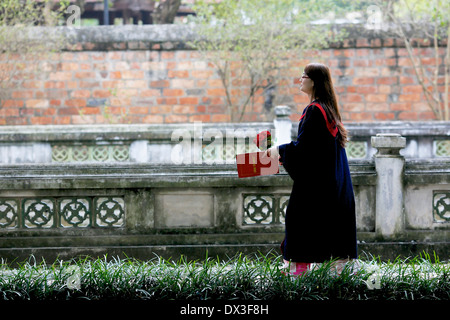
x: 323, y: 91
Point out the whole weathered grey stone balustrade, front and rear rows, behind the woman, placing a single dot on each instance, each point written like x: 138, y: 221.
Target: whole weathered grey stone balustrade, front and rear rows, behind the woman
x: 82, y: 190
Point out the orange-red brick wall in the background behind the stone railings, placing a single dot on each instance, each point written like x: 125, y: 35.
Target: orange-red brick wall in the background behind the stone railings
x: 135, y: 80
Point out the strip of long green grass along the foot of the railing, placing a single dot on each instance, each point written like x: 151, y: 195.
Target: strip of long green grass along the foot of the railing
x: 257, y: 277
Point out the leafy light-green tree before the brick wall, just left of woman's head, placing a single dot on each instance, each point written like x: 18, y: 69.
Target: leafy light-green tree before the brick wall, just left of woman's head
x: 250, y: 43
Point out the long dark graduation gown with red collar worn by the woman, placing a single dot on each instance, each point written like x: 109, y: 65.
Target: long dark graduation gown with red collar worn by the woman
x: 320, y: 219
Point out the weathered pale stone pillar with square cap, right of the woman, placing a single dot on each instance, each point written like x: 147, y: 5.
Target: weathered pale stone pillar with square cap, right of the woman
x: 389, y: 164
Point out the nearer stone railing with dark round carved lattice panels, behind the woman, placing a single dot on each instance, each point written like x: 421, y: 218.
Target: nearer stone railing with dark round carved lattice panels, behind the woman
x: 140, y: 209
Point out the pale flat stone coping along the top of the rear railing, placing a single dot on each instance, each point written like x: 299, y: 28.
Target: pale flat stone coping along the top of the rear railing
x: 164, y: 131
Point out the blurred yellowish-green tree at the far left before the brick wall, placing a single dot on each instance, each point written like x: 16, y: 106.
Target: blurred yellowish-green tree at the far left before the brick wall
x: 22, y: 44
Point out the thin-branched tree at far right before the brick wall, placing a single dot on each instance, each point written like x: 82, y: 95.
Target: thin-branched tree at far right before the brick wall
x: 422, y: 23
